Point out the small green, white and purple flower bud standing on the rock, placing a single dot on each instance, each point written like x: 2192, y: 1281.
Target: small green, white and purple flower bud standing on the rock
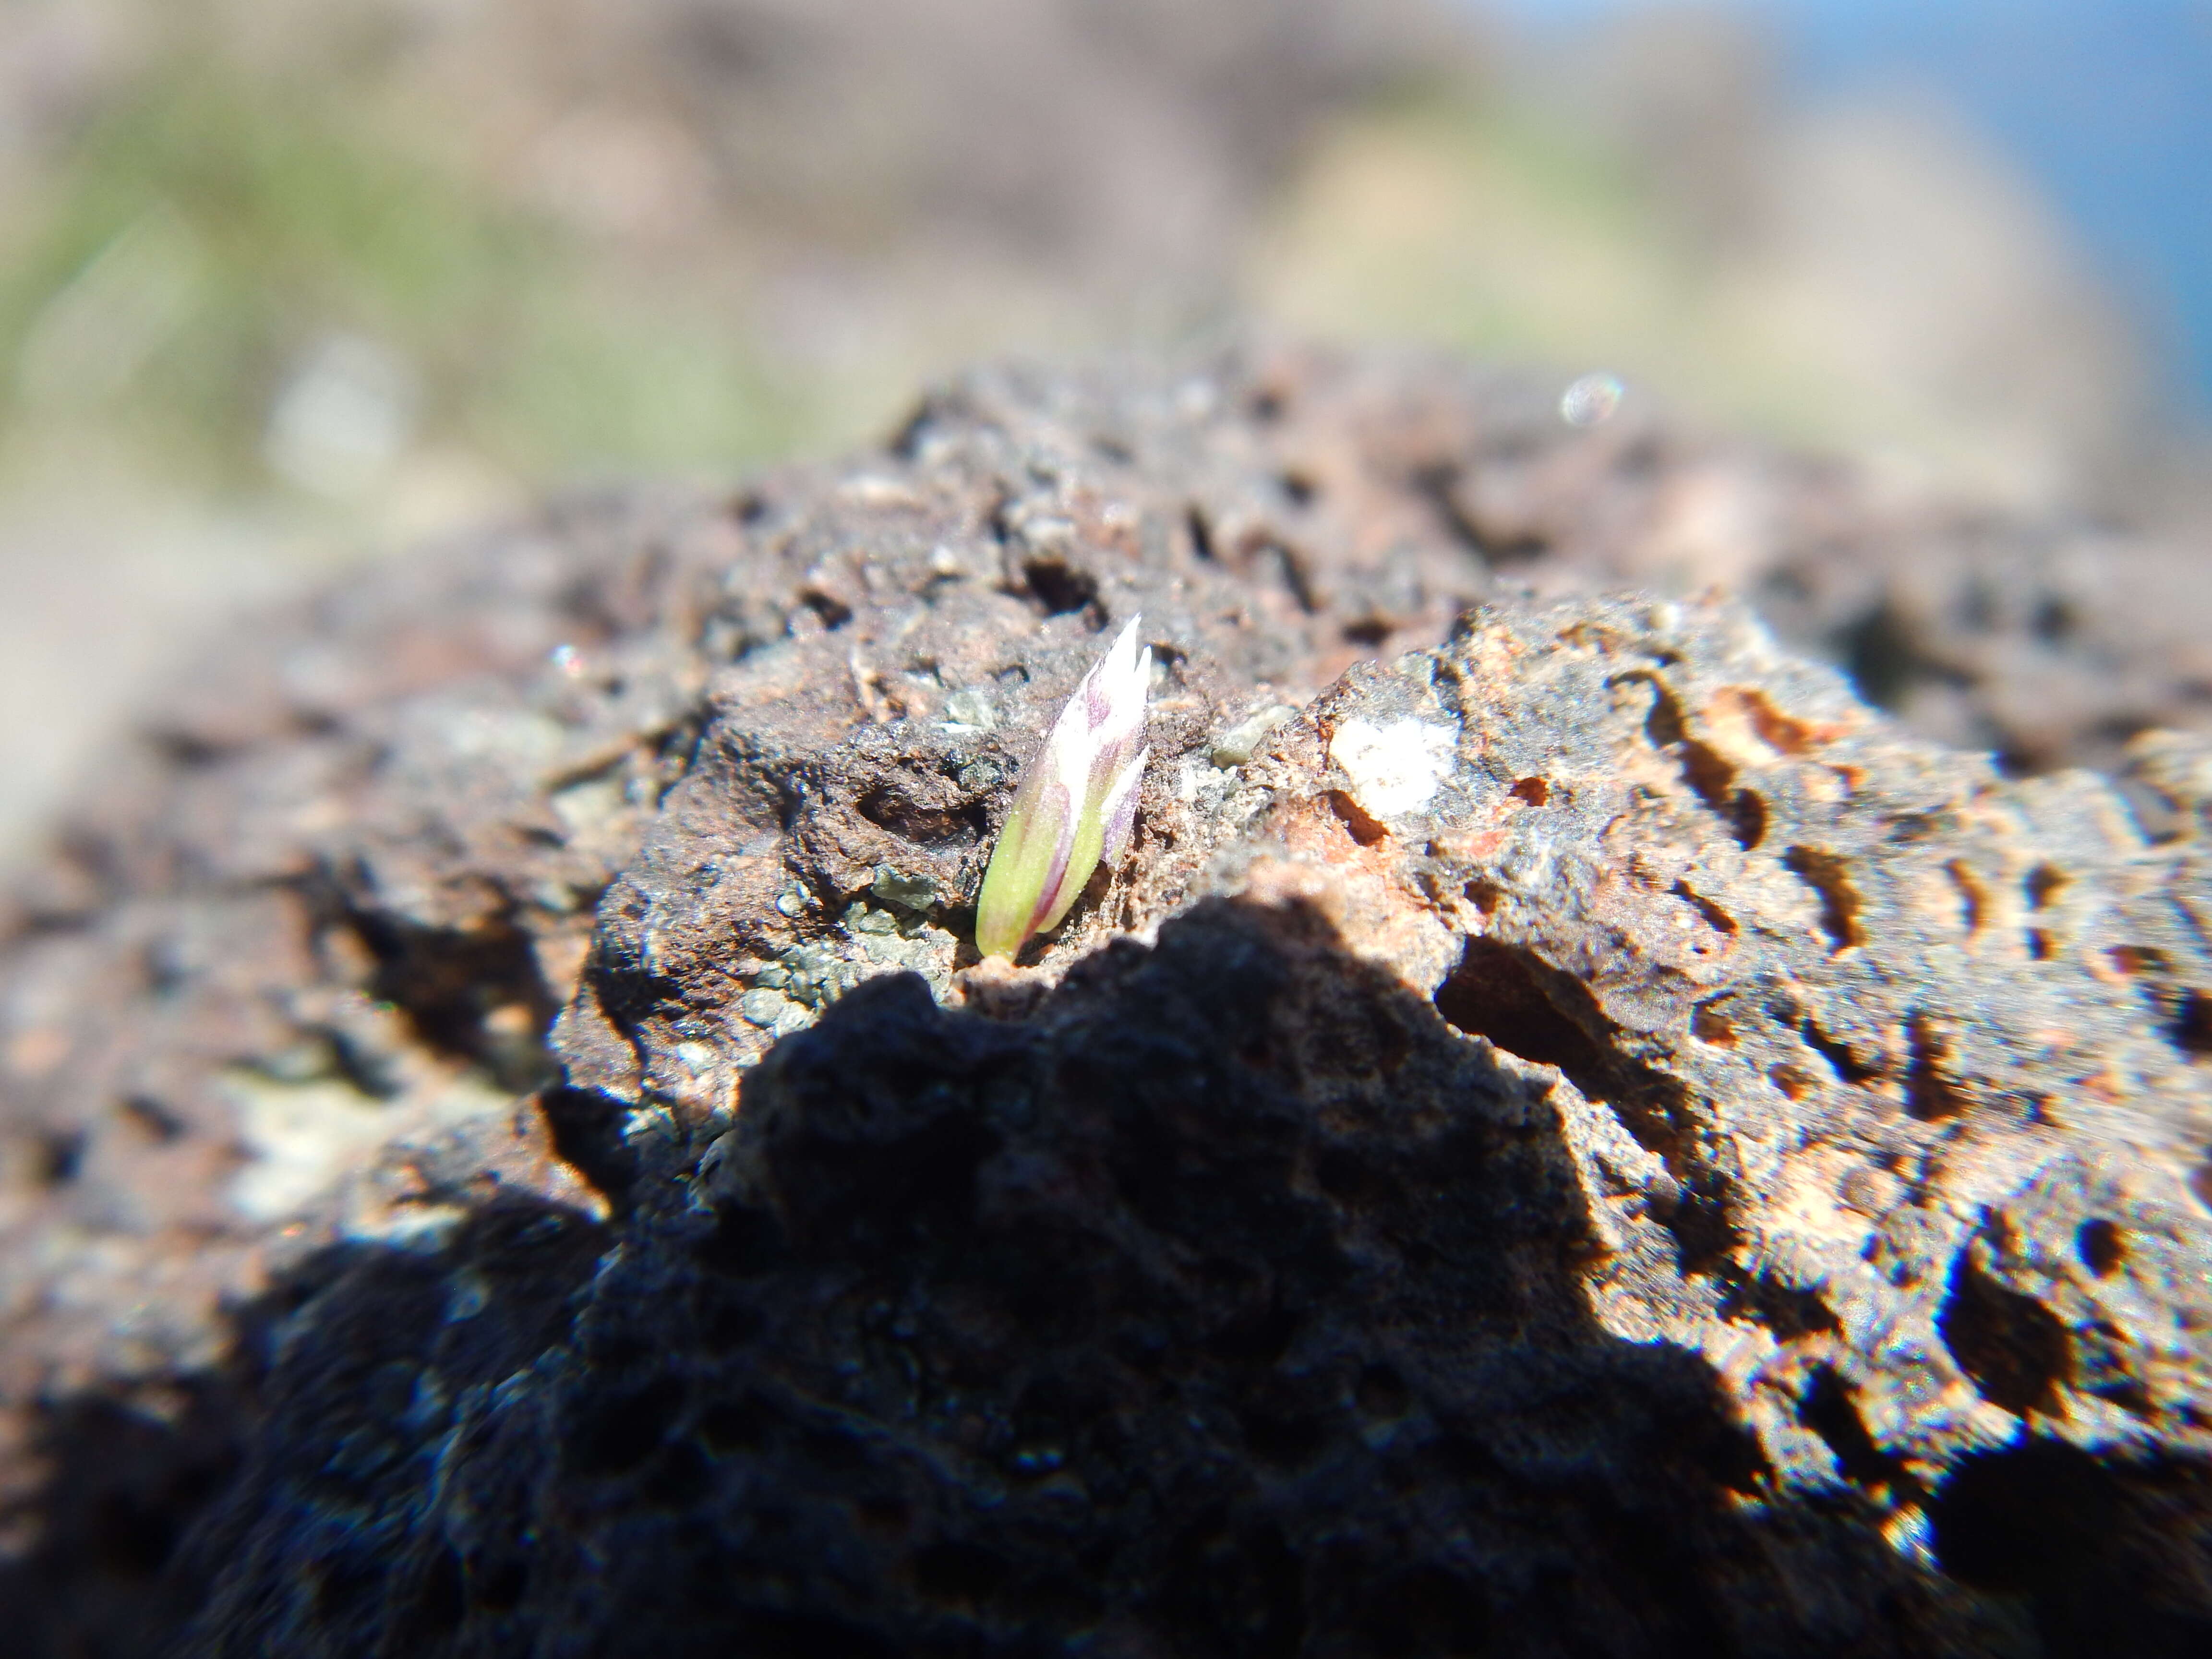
x: 1076, y: 806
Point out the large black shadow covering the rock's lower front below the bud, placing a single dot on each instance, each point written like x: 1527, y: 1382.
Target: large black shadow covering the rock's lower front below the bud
x: 1227, y: 1306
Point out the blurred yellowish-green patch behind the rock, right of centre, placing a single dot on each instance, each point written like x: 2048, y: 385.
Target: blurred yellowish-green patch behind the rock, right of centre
x: 1499, y: 231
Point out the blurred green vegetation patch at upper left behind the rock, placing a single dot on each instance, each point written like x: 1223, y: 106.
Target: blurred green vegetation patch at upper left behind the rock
x: 198, y: 238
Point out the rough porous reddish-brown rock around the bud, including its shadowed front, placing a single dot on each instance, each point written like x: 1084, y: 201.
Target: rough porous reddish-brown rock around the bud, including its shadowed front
x: 1567, y: 1134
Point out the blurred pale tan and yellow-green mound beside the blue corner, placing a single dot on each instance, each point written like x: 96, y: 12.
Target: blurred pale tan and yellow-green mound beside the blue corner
x: 1855, y: 282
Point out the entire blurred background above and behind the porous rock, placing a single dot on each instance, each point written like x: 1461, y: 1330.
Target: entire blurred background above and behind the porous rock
x: 289, y: 284
